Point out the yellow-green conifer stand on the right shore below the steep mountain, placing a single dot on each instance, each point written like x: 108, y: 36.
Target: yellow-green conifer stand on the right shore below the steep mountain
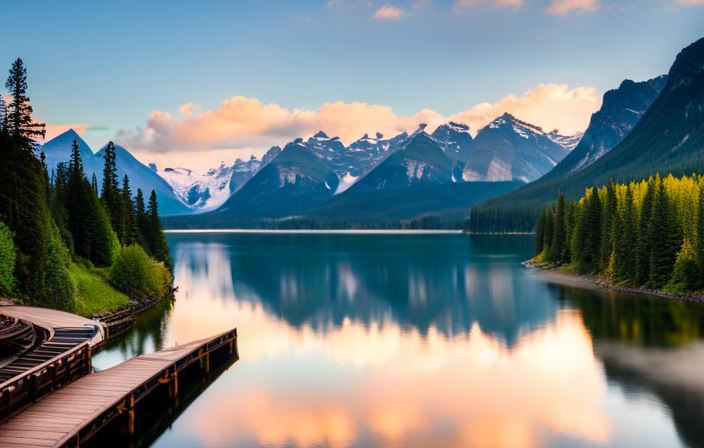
x: 648, y: 233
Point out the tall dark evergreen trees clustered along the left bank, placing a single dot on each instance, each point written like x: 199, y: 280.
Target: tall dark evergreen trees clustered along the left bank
x: 49, y: 221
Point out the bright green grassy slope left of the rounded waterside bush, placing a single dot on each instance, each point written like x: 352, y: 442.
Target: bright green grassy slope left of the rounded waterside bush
x: 94, y: 293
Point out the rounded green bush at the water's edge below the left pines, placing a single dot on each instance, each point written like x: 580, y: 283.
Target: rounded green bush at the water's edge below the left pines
x: 137, y: 275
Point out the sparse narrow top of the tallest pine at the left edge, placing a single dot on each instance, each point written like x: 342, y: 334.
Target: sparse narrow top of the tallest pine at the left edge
x: 19, y: 120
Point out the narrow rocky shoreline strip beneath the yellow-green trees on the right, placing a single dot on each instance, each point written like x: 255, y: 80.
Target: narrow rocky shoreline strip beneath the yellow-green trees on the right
x: 597, y: 283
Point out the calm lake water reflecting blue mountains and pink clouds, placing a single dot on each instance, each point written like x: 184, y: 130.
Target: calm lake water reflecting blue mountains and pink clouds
x: 420, y: 340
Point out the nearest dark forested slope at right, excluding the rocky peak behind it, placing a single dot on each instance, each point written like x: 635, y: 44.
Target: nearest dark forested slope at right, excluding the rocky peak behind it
x: 669, y: 138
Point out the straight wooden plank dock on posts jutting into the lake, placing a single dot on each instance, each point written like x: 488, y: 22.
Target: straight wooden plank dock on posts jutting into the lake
x: 73, y: 414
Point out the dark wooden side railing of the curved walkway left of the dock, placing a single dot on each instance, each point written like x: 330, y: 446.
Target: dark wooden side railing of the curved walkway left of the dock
x: 39, y: 381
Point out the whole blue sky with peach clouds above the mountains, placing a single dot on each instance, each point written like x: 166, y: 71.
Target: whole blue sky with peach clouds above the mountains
x: 192, y: 83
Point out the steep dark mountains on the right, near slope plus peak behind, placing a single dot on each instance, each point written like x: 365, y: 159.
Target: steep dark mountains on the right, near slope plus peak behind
x: 662, y: 123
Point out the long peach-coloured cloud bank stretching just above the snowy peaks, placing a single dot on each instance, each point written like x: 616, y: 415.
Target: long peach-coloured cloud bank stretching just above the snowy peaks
x: 246, y: 125
